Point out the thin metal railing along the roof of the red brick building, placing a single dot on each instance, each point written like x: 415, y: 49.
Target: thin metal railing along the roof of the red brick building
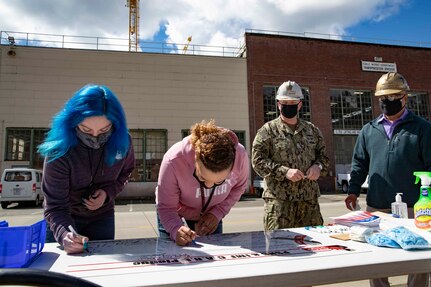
x: 347, y: 38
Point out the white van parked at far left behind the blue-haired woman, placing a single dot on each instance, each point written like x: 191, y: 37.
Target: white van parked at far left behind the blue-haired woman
x: 19, y: 185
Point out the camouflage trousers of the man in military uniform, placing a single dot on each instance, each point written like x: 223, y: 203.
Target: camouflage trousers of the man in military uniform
x: 280, y: 214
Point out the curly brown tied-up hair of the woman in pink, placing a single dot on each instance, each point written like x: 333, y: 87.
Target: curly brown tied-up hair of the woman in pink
x: 213, y: 146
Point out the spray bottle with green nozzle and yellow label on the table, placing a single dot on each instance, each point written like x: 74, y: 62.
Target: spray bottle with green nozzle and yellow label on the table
x: 422, y: 208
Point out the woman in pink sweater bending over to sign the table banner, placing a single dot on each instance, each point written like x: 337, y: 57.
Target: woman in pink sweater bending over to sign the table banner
x: 200, y: 179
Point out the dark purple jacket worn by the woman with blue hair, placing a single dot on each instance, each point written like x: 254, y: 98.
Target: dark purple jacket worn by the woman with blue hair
x: 65, y: 178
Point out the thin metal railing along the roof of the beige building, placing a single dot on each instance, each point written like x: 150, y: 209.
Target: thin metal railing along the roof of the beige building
x: 113, y: 44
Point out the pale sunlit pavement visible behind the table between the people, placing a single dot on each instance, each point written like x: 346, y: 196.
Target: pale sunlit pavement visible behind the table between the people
x: 137, y: 218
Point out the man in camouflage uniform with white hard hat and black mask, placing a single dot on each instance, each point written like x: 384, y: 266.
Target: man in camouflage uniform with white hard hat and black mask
x: 289, y: 153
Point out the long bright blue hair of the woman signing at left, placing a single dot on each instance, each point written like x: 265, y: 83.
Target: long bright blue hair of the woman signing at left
x: 91, y: 100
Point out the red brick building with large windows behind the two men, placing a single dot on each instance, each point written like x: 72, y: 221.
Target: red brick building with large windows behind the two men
x: 338, y: 79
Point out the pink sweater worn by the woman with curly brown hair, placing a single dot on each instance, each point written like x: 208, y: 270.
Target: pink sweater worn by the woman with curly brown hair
x: 178, y: 192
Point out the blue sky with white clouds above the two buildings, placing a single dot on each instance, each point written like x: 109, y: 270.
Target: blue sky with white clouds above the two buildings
x: 222, y: 22
